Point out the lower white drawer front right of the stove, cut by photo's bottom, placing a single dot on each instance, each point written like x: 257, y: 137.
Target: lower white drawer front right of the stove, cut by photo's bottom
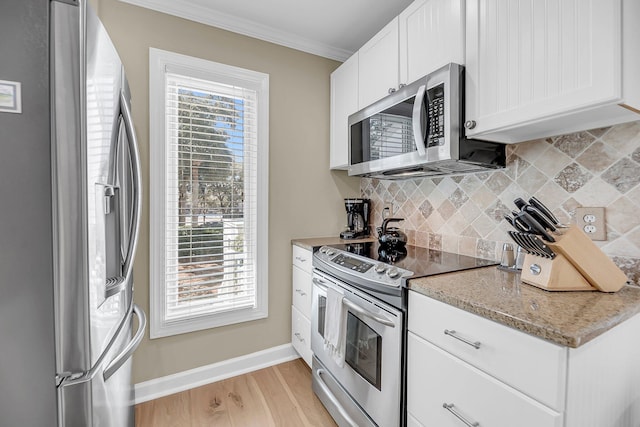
x: 436, y: 378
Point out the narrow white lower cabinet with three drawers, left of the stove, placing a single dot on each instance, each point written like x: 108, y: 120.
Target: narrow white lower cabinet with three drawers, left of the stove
x: 301, y: 302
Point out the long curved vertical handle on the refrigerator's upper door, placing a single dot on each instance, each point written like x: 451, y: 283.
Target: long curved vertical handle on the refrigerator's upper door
x: 116, y: 286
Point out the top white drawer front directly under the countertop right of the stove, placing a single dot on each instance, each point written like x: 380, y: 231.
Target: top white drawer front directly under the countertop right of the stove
x: 533, y: 366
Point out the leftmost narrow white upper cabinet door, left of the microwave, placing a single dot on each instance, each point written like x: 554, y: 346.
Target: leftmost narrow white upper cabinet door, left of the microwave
x: 344, y: 102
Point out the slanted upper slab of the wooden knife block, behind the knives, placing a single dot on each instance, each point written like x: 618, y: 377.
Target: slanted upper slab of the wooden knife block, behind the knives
x: 593, y: 264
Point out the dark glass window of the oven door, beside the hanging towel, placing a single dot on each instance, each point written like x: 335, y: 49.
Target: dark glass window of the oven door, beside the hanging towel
x: 364, y: 350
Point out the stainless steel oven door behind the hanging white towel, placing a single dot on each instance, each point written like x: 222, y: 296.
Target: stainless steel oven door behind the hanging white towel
x: 372, y: 338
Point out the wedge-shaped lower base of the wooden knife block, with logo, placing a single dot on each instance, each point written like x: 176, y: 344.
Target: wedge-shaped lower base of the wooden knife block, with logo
x: 556, y: 274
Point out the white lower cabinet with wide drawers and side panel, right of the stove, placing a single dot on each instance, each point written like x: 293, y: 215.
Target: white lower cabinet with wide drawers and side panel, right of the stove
x: 464, y: 369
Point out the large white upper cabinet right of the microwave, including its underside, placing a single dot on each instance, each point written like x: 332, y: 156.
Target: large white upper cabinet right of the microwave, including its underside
x: 540, y: 68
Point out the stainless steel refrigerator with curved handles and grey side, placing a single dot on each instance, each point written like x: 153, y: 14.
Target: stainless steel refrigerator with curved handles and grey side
x: 70, y: 205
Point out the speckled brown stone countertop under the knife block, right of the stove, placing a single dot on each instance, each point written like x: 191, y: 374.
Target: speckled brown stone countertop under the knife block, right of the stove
x: 566, y: 318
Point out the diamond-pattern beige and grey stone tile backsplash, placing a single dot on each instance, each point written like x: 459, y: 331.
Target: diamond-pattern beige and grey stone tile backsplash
x: 465, y: 213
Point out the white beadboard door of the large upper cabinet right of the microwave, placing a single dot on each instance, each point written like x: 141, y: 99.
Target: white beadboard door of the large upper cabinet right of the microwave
x: 528, y: 60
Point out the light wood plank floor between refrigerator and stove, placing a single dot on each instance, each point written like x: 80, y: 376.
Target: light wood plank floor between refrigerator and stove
x: 277, y: 396
